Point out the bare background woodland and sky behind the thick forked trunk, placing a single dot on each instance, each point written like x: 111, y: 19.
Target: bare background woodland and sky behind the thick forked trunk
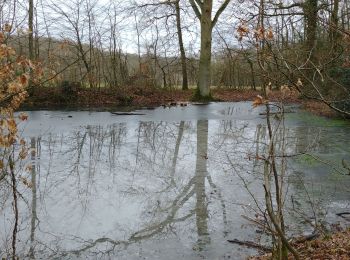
x: 99, y: 44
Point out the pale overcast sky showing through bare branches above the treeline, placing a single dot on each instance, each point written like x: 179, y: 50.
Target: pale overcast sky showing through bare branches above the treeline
x: 61, y: 19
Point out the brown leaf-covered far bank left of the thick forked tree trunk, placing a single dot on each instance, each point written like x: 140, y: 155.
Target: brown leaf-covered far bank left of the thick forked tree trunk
x: 50, y: 98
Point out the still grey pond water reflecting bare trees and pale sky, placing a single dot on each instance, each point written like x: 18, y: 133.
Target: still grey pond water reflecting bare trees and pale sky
x: 168, y: 183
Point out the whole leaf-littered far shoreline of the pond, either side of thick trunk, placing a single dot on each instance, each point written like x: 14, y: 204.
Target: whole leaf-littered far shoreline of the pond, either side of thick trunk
x: 128, y: 99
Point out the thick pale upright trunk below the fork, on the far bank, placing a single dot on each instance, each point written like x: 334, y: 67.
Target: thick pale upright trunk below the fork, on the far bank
x: 204, y: 75
